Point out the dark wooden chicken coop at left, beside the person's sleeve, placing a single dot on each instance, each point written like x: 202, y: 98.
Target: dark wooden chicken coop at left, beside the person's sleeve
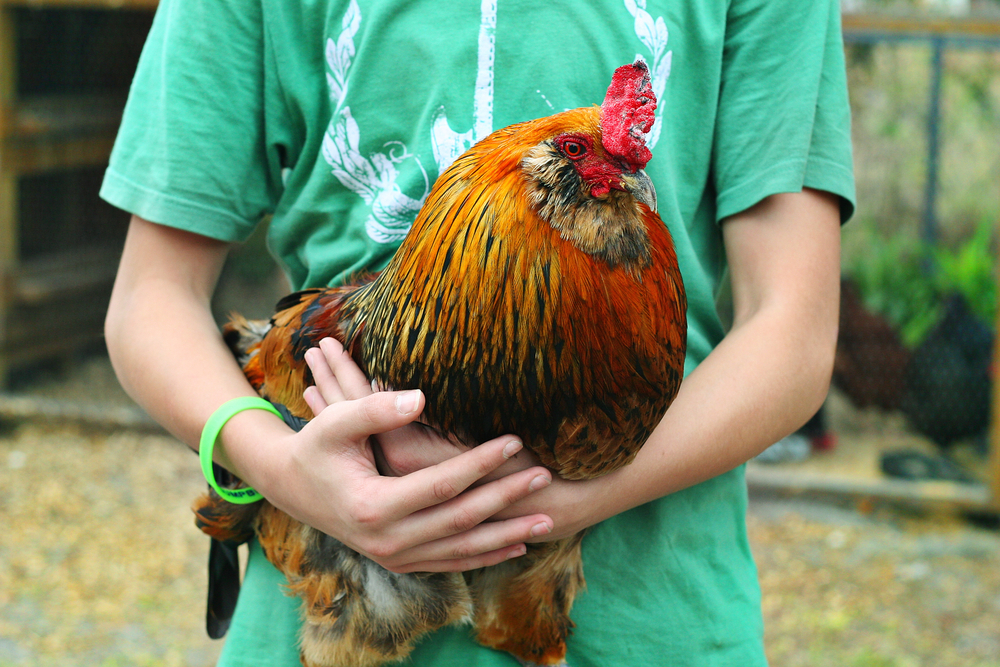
x: 65, y: 70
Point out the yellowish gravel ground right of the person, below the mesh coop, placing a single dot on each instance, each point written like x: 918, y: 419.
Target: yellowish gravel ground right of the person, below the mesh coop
x: 886, y: 588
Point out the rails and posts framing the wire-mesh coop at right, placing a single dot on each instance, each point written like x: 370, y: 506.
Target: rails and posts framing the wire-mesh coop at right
x: 940, y: 33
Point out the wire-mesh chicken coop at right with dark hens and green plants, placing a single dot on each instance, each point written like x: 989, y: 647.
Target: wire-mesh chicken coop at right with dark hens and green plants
x: 914, y: 387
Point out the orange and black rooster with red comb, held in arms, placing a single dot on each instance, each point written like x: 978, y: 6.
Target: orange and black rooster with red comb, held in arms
x: 537, y: 293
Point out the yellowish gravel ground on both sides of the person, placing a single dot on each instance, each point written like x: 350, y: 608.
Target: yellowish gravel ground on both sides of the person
x: 100, y: 563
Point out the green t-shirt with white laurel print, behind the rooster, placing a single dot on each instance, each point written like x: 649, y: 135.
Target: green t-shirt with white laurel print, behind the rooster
x: 336, y: 116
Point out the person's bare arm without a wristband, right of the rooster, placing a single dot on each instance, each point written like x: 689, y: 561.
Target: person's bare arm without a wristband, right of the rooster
x: 765, y: 379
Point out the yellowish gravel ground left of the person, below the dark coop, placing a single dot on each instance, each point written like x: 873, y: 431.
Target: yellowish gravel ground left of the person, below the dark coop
x: 100, y: 563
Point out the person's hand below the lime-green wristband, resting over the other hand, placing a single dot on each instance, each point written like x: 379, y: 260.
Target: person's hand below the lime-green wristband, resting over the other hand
x: 421, y: 521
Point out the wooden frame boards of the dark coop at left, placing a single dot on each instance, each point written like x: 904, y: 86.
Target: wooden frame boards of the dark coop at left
x: 39, y: 135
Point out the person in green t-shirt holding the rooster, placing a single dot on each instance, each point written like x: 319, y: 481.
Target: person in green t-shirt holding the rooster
x: 334, y: 118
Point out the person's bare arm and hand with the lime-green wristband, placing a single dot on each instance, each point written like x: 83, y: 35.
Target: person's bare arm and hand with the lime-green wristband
x: 169, y: 356
